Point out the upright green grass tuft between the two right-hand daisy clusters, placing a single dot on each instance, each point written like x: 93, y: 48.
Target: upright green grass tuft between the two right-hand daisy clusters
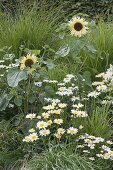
x: 98, y: 123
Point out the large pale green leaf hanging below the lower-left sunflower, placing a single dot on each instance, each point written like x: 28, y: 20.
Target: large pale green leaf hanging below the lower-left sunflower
x: 15, y: 76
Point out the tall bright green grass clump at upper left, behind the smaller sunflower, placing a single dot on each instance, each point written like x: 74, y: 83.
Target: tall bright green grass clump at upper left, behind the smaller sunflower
x: 32, y: 27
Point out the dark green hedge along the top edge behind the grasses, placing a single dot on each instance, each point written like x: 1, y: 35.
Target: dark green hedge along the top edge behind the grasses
x: 95, y: 9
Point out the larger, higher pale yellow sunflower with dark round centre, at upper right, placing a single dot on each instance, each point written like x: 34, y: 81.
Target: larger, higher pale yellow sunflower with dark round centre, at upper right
x: 78, y: 26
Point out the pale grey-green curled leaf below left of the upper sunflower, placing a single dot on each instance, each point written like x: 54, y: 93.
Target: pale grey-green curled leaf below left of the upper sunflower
x: 63, y: 51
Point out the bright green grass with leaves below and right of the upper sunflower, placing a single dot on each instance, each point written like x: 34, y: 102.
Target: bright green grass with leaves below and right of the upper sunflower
x: 88, y: 54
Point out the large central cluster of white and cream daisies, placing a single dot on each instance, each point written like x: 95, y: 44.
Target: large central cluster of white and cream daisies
x: 65, y: 106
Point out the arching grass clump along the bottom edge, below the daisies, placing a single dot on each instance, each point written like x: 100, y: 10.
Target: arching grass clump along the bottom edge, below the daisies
x: 63, y: 157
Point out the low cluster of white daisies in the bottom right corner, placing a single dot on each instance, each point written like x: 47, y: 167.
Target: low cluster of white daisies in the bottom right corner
x: 95, y: 146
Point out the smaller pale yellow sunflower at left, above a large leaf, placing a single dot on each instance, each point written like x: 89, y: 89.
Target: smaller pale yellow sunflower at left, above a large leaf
x: 28, y: 61
